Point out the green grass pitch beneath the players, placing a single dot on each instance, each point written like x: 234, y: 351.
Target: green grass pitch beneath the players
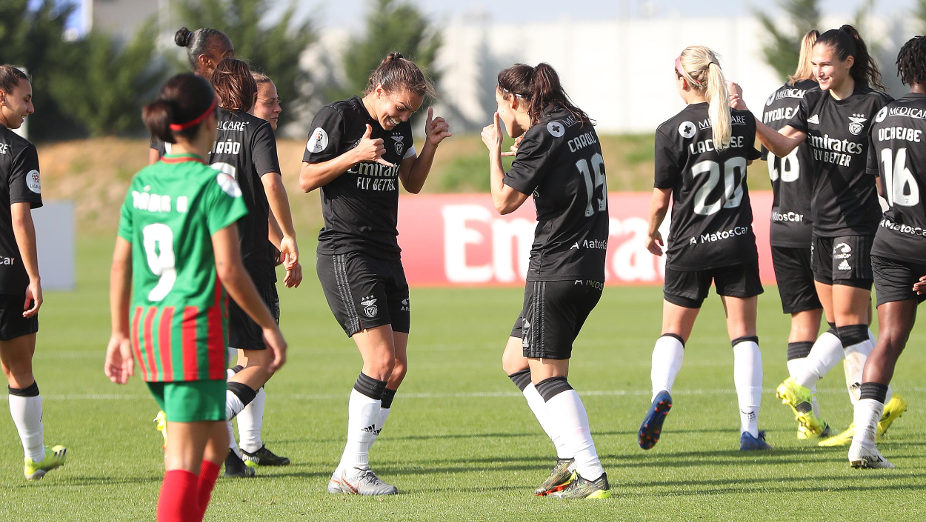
x: 461, y: 444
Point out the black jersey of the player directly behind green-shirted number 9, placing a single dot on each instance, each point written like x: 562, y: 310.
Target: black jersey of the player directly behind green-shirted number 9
x: 246, y: 149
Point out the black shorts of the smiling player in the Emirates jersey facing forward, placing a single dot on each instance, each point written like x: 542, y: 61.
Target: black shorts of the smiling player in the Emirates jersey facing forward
x: 843, y: 260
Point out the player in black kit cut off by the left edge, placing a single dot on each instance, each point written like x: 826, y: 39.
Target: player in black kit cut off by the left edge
x: 20, y: 284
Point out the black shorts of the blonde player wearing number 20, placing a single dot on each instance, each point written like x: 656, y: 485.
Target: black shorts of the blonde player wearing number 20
x: 689, y: 288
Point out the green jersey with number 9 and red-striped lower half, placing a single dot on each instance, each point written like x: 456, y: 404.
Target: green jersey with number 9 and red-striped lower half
x: 178, y: 323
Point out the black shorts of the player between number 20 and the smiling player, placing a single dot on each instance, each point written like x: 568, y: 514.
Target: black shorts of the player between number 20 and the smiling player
x: 795, y: 279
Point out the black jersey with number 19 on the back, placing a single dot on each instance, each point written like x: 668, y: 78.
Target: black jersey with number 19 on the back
x: 559, y: 161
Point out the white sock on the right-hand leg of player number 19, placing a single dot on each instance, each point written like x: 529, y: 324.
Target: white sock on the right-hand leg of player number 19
x: 571, y: 423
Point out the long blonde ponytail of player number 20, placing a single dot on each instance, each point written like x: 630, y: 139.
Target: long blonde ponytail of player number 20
x: 702, y: 71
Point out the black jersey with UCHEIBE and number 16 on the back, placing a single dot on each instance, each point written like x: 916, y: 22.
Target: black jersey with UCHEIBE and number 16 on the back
x: 898, y: 156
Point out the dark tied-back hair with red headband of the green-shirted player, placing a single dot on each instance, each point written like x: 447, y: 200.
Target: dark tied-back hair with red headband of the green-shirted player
x: 183, y: 101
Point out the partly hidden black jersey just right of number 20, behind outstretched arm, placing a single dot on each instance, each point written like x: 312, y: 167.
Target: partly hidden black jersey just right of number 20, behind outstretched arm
x: 792, y: 176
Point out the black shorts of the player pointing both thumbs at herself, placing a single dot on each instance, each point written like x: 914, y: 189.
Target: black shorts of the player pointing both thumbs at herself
x: 364, y: 291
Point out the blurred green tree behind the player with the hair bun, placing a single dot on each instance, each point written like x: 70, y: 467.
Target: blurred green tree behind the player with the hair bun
x: 272, y: 47
